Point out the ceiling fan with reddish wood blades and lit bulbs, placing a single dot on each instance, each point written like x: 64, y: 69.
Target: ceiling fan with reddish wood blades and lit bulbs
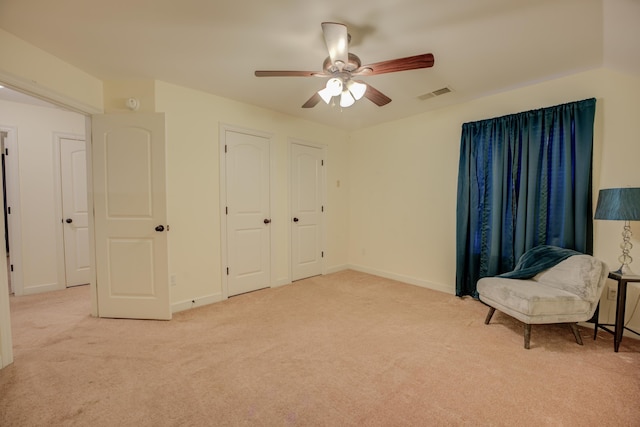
x: 341, y: 66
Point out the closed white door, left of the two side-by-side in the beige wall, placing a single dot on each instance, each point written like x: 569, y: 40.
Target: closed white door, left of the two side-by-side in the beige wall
x: 248, y: 212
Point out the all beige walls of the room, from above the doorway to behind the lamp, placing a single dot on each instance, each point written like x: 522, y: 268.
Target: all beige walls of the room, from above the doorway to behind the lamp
x: 394, y: 213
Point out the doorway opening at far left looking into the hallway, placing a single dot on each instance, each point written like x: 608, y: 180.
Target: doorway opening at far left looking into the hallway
x: 31, y: 189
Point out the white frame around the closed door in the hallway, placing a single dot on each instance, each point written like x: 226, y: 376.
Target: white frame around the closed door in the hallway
x: 57, y: 183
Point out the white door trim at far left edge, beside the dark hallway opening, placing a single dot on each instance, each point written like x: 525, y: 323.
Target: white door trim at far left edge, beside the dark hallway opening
x: 12, y: 165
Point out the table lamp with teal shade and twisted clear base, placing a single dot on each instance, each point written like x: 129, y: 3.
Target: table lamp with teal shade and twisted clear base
x: 621, y: 204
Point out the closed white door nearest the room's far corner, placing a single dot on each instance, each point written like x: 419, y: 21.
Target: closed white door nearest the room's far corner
x: 307, y: 210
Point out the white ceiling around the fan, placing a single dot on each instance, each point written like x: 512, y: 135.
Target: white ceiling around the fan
x: 480, y: 46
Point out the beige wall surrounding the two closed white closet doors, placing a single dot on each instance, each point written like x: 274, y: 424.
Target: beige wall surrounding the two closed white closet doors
x: 193, y: 121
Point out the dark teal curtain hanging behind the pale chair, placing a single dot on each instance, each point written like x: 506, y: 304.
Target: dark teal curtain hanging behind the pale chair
x: 523, y: 180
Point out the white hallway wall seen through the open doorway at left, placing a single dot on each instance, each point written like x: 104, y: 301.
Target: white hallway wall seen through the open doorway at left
x: 35, y: 129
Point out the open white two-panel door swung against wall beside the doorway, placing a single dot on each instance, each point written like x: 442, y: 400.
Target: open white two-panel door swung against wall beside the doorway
x: 130, y: 216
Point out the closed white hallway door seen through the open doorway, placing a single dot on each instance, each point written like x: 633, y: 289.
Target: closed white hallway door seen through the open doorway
x: 73, y: 178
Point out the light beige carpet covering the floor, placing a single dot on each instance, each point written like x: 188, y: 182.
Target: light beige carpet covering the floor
x: 346, y: 349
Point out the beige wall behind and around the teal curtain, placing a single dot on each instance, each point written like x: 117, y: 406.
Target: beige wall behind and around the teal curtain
x: 404, y: 177
